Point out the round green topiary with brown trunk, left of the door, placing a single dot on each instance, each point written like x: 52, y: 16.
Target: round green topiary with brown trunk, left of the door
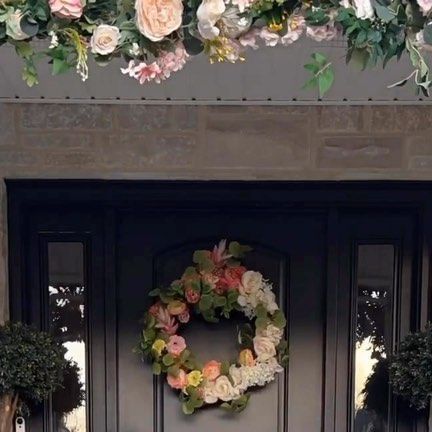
x: 31, y: 367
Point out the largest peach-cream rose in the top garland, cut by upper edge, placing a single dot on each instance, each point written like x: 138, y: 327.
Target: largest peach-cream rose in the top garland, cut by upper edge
x: 156, y: 19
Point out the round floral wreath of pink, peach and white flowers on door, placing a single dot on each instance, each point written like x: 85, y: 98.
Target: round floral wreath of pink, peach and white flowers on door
x: 216, y: 286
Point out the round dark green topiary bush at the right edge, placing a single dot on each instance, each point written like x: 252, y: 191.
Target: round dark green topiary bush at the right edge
x: 411, y: 369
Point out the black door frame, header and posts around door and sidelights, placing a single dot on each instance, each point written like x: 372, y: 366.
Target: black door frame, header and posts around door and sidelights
x: 331, y: 198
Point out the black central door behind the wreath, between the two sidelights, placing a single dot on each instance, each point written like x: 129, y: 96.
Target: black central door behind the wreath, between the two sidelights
x: 154, y: 249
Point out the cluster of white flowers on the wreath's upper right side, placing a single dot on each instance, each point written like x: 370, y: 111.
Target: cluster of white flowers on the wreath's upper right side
x: 255, y: 290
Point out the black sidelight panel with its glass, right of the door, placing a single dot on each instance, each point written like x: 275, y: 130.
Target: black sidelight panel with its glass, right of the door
x: 376, y: 260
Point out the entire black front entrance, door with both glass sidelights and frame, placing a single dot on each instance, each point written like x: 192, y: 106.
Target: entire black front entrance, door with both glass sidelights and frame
x: 350, y: 267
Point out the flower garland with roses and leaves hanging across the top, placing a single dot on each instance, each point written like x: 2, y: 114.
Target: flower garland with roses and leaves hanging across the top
x: 157, y: 37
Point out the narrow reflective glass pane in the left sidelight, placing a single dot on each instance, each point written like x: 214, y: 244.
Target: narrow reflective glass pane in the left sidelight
x: 67, y: 314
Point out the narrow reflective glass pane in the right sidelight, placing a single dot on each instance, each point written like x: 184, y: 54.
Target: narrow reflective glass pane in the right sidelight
x: 373, y: 337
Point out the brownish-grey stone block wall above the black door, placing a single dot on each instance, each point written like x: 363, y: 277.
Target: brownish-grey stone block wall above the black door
x: 221, y: 142
